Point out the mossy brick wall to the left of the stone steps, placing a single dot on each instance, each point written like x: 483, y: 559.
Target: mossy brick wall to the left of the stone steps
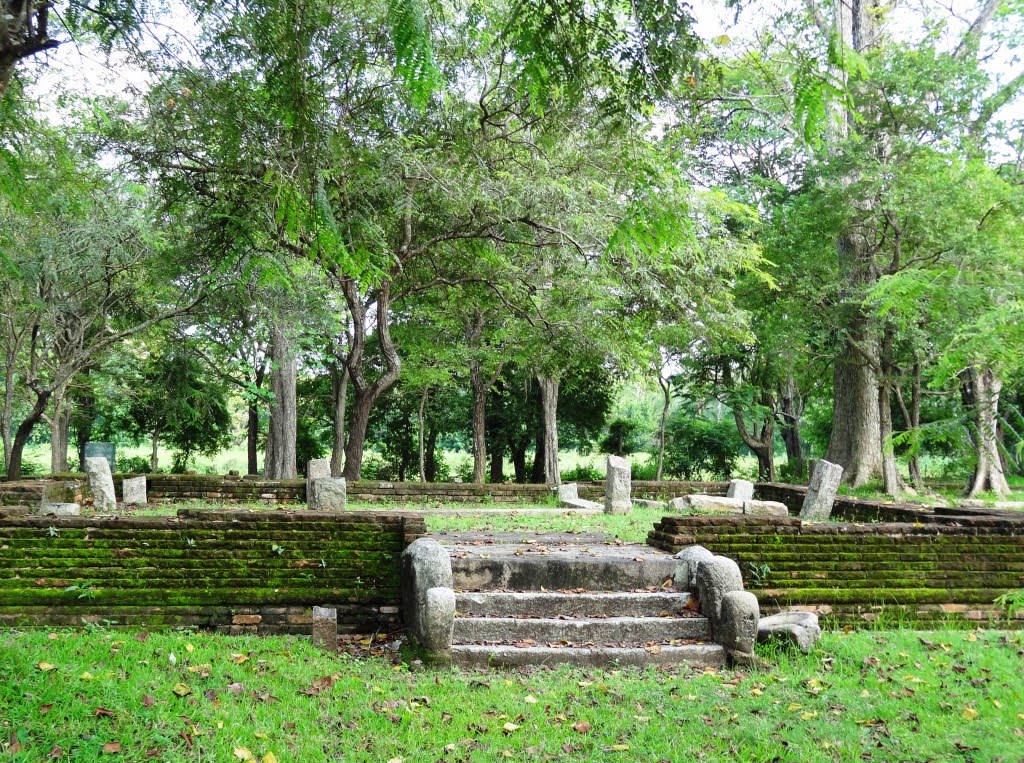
x: 229, y: 571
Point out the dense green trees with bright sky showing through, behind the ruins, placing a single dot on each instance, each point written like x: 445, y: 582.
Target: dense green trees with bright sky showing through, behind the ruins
x: 389, y: 231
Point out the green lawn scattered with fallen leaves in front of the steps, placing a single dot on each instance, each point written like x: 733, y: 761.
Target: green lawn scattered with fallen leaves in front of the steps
x: 886, y: 697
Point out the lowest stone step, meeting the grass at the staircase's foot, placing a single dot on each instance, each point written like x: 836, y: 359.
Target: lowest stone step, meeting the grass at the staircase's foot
x: 472, y: 656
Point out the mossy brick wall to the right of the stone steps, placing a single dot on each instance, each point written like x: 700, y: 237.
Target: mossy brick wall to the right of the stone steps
x: 949, y: 571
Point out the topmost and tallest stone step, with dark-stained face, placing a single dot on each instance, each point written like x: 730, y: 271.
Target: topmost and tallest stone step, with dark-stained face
x: 551, y: 573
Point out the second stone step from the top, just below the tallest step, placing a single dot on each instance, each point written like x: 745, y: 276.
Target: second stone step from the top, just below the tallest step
x: 551, y: 604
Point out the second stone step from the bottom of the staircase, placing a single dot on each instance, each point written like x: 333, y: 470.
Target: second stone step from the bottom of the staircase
x: 582, y: 630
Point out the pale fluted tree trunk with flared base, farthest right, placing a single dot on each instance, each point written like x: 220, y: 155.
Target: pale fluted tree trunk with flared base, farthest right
x: 980, y: 392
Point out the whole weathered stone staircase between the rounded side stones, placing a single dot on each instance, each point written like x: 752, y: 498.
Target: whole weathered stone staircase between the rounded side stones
x: 585, y: 603
